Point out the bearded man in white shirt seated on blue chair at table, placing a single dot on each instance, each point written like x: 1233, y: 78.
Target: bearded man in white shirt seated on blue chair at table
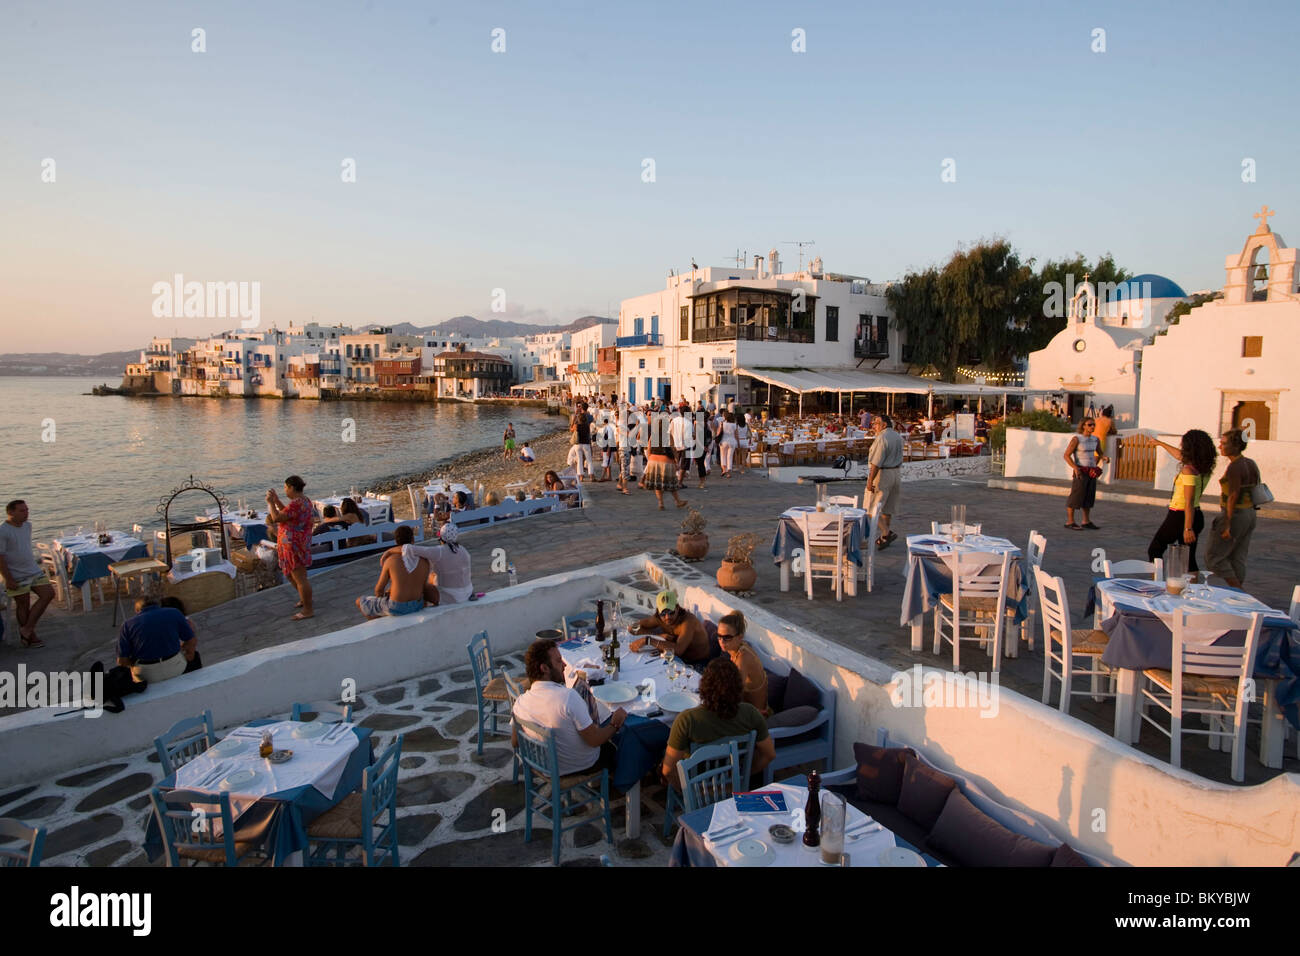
x: 548, y: 703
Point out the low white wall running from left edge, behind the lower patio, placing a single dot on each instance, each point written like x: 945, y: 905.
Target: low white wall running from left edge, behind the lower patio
x: 374, y: 654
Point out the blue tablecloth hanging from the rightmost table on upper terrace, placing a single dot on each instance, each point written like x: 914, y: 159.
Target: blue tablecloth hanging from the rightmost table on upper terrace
x: 1139, y: 641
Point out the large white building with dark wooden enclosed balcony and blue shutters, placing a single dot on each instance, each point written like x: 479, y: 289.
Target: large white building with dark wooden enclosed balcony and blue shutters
x: 690, y: 339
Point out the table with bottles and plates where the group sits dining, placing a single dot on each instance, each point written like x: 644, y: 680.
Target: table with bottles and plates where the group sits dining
x: 645, y: 734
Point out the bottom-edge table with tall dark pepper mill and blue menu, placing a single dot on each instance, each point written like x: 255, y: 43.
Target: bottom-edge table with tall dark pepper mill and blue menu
x: 709, y: 837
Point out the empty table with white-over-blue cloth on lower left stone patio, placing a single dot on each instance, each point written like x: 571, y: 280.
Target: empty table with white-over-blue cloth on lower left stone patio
x: 315, y: 780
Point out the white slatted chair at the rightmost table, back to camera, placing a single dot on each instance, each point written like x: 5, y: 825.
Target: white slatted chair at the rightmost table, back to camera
x: 1210, y: 681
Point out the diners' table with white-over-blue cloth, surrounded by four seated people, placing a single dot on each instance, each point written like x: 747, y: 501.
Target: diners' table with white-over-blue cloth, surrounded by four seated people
x: 645, y: 738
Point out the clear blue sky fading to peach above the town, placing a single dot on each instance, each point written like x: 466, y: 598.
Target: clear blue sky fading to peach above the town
x: 525, y: 168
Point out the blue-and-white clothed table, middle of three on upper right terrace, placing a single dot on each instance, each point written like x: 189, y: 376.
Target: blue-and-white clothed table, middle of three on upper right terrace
x: 929, y: 577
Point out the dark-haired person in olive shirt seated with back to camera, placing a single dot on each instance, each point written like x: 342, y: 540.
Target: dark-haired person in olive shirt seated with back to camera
x: 722, y: 713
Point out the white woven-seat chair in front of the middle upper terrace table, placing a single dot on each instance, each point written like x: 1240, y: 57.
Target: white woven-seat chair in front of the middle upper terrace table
x: 977, y: 603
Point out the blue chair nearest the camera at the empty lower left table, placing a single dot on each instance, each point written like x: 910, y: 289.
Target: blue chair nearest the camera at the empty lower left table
x: 201, y: 845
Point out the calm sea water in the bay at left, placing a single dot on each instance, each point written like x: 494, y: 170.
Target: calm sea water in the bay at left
x: 79, y: 458
